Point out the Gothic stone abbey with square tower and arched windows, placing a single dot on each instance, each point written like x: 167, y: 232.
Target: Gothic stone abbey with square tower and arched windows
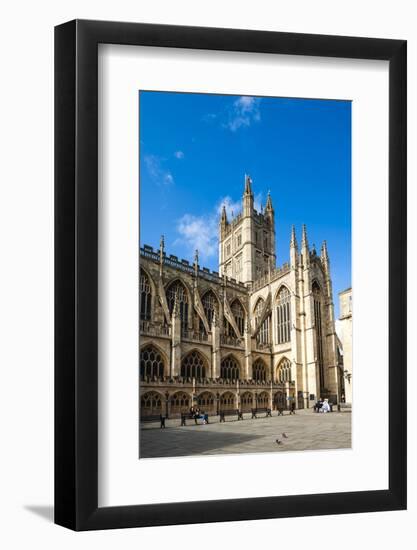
x: 250, y: 335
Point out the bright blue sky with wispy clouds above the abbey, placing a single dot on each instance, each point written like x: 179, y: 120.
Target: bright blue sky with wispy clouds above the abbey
x: 196, y: 148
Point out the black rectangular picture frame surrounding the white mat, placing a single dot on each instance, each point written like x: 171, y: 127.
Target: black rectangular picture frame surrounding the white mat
x: 76, y: 272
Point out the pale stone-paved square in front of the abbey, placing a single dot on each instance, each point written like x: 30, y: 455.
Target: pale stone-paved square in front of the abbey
x: 305, y: 430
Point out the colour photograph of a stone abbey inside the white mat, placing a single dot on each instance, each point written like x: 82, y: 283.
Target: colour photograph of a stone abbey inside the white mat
x: 245, y: 291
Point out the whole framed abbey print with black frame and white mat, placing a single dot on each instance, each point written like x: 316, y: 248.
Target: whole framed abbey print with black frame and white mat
x: 230, y: 338
